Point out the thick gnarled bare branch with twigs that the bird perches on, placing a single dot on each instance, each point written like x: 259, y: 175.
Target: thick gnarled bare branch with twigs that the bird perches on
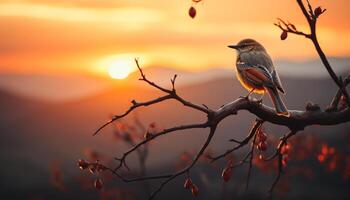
x: 297, y: 120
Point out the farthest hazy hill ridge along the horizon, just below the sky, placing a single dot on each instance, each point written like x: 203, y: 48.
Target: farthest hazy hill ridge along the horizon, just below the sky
x: 65, y: 88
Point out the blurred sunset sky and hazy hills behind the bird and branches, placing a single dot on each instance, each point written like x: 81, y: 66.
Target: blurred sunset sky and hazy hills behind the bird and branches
x: 67, y: 66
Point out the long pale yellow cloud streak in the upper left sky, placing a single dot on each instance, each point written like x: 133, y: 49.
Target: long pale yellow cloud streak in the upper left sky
x: 125, y: 17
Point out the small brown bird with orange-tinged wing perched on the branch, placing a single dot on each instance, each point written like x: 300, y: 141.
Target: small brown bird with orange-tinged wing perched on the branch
x: 256, y: 72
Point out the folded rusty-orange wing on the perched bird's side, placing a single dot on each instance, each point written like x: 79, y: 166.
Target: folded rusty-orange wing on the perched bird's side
x: 257, y: 74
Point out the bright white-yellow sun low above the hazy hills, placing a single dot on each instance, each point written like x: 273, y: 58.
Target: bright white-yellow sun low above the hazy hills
x: 120, y: 68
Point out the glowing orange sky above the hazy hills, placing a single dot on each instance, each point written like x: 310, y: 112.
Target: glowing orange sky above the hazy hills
x: 78, y: 36
